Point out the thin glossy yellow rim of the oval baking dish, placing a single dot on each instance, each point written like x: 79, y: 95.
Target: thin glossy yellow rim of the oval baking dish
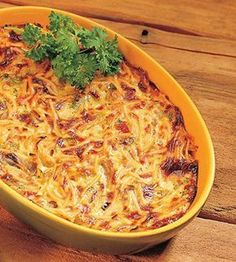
x: 193, y: 209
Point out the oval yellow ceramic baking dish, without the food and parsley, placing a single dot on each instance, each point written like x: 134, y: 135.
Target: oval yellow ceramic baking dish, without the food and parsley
x: 93, y: 240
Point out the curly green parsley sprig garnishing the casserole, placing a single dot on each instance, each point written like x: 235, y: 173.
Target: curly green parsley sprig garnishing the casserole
x: 75, y: 52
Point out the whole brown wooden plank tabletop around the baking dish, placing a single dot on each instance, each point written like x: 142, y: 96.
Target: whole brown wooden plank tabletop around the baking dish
x: 196, y: 42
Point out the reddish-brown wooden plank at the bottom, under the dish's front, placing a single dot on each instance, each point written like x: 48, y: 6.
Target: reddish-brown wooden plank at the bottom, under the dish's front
x: 202, y: 240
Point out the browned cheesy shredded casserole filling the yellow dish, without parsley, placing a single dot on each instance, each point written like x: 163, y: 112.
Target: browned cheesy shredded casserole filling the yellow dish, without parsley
x: 116, y: 157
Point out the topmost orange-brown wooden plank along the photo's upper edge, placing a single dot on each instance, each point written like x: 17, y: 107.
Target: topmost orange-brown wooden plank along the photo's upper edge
x: 211, y: 18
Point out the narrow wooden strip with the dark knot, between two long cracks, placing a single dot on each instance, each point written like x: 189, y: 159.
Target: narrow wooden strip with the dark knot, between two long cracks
x: 204, y: 45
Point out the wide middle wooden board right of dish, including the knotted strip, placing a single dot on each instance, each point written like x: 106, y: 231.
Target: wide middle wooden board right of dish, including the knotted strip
x: 206, y: 68
